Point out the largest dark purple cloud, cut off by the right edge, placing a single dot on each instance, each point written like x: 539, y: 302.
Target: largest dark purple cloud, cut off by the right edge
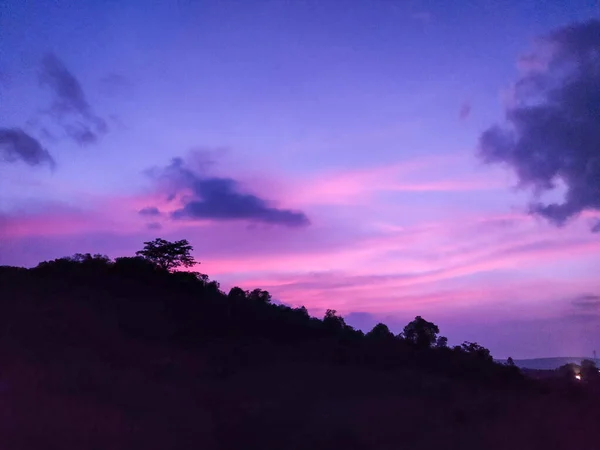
x: 552, y: 133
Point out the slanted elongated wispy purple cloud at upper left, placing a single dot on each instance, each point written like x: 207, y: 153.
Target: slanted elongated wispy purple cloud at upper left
x: 70, y: 107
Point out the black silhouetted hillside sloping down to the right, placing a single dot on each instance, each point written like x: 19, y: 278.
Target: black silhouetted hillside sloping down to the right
x: 103, y: 355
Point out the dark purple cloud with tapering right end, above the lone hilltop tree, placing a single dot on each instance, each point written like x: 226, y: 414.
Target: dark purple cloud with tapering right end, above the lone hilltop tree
x: 220, y: 198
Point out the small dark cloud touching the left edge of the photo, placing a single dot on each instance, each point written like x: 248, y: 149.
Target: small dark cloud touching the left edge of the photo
x: 15, y: 145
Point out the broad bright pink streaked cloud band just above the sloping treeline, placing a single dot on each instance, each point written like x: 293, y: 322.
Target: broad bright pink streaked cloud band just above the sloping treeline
x: 368, y: 271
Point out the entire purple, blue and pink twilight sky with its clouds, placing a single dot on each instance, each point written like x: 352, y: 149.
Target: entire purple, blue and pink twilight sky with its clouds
x: 382, y: 158
